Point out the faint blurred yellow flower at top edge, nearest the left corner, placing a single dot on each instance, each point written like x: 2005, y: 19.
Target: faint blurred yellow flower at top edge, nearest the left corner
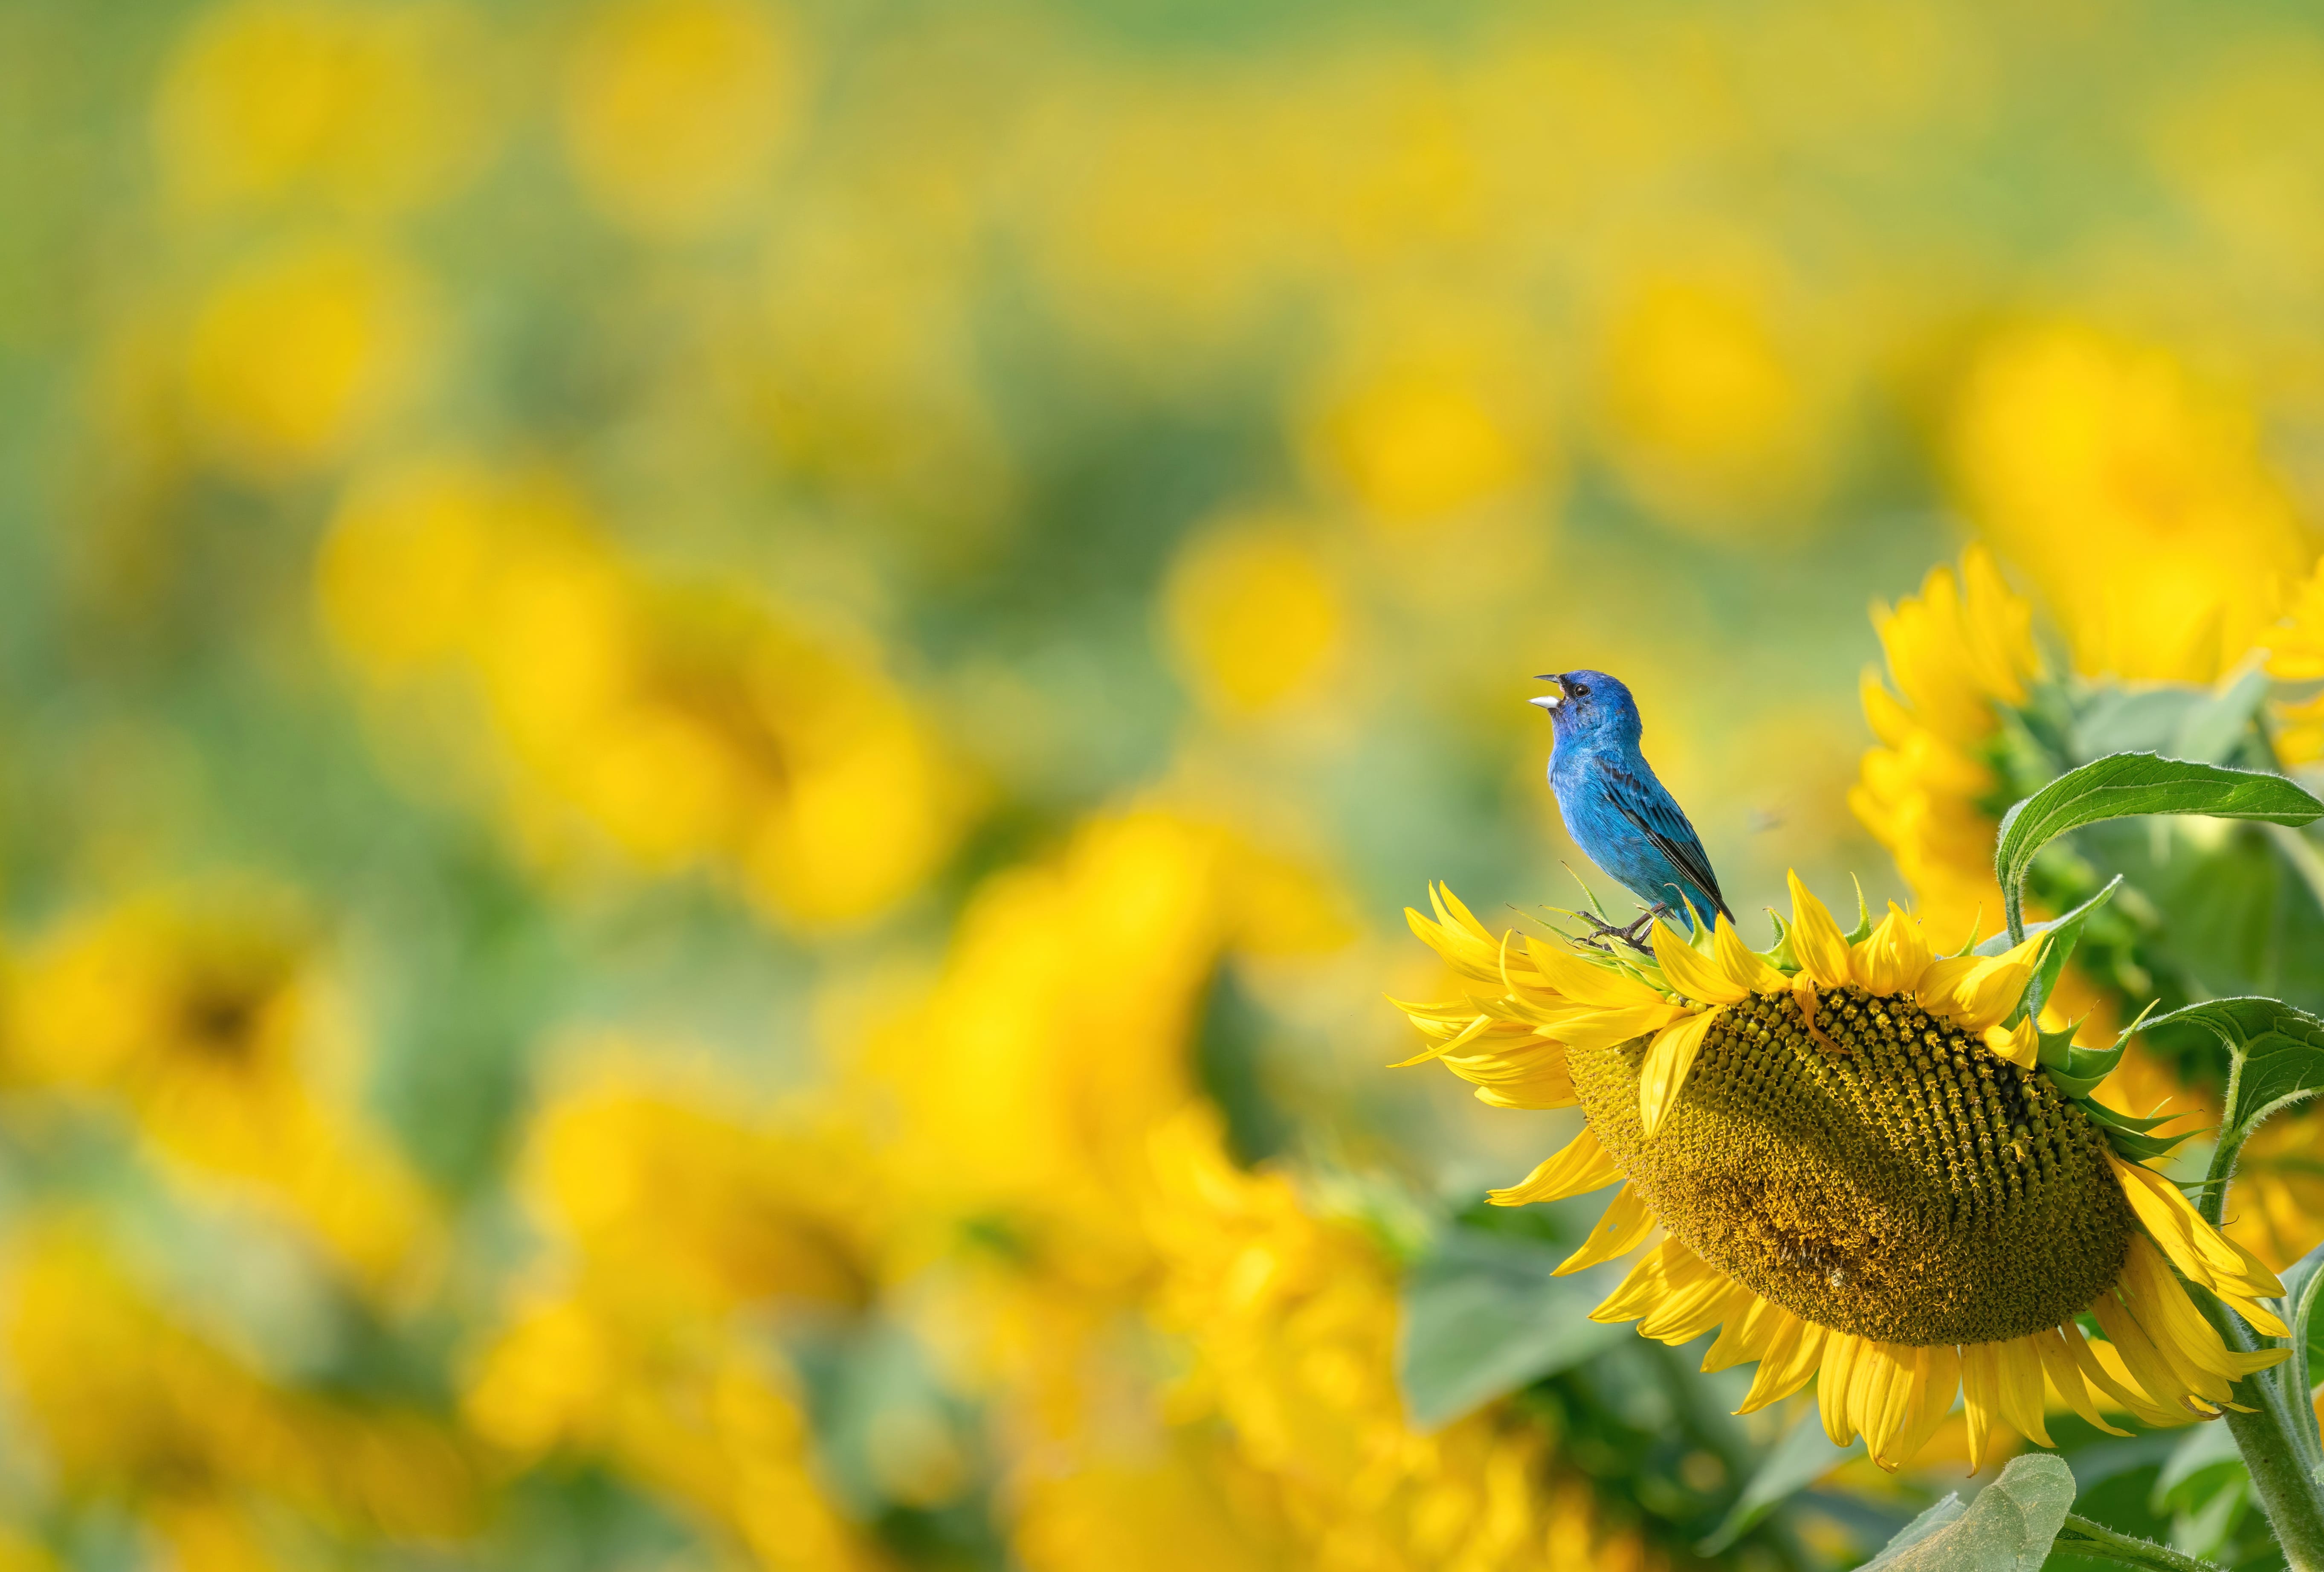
x: 375, y: 108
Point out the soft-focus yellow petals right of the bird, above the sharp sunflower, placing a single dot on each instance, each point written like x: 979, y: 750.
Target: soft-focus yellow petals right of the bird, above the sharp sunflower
x: 1956, y: 652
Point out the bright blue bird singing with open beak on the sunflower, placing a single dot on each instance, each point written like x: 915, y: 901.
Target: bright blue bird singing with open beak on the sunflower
x: 1614, y: 806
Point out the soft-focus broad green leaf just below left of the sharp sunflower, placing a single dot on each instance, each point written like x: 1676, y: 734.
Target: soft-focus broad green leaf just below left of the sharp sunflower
x: 1484, y: 1317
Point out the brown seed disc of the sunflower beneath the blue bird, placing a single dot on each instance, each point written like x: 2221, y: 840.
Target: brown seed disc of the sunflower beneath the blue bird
x: 1886, y: 1176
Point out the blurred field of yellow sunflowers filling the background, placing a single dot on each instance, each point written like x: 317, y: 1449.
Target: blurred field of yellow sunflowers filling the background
x: 715, y: 722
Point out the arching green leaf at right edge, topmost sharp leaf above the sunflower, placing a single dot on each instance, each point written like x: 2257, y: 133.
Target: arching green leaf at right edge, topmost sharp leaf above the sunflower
x: 2128, y: 785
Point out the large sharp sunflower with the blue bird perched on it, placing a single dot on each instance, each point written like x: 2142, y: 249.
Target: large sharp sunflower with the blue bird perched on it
x: 1860, y: 1171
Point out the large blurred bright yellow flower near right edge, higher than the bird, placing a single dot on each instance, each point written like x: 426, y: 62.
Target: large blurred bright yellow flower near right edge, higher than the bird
x: 2137, y: 499
